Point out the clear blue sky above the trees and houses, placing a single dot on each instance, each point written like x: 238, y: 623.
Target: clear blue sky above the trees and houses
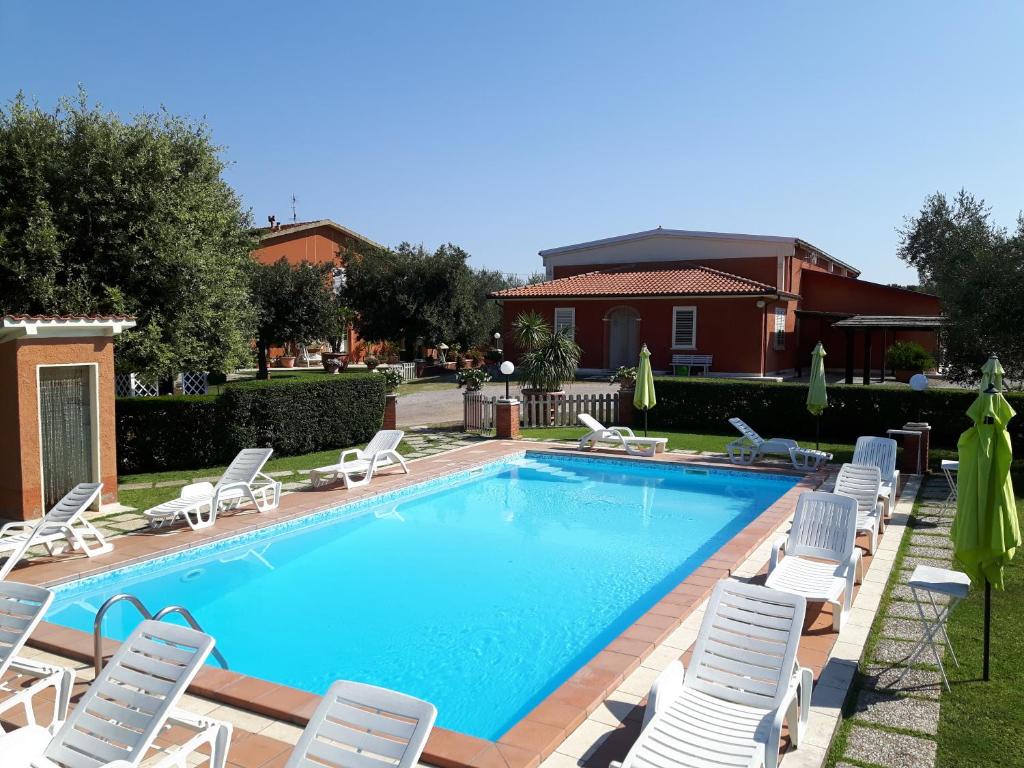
x: 509, y: 127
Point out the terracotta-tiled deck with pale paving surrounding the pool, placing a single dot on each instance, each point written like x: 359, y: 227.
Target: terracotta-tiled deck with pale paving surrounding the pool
x: 562, y: 731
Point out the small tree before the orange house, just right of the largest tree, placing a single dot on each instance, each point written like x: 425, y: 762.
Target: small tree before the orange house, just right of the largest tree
x: 293, y: 305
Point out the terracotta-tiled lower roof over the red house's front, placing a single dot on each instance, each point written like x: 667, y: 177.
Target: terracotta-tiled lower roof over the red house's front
x: 696, y: 281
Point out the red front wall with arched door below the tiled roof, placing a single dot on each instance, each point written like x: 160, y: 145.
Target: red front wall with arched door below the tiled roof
x: 728, y: 329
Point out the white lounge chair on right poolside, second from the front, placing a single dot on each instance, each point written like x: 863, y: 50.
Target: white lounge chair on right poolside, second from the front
x: 822, y: 564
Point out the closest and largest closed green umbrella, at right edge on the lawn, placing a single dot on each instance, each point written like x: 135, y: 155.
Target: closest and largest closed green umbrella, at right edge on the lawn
x: 986, y: 533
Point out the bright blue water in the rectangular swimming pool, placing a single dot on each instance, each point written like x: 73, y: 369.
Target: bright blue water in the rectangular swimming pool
x: 481, y: 592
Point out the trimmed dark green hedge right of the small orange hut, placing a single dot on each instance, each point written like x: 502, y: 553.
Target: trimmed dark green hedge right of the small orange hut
x: 293, y: 417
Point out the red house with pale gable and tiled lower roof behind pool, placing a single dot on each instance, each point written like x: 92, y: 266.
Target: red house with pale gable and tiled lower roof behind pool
x: 756, y: 305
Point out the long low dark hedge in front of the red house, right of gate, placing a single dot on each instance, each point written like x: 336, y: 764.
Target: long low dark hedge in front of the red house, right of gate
x: 693, y: 405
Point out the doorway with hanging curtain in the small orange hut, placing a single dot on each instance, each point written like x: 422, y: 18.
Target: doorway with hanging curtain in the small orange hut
x: 66, y: 430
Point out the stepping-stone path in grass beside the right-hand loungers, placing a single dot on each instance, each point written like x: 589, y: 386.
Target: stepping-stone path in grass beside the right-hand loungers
x: 895, y: 722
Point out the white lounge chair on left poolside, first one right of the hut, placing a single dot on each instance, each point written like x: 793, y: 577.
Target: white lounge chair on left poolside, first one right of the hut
x: 199, y: 503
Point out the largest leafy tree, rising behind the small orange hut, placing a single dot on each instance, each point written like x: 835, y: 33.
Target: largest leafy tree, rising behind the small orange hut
x: 100, y: 216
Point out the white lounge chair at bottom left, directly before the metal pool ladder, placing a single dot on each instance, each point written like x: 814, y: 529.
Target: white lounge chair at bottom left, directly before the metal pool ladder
x: 127, y: 707
